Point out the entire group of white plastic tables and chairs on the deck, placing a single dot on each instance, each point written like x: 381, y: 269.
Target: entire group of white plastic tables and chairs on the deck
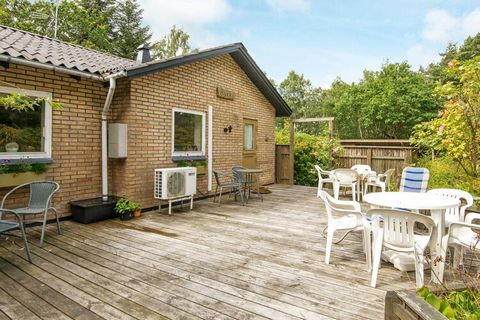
x: 390, y: 227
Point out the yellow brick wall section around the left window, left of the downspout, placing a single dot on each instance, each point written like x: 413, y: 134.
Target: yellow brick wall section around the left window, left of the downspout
x: 75, y: 130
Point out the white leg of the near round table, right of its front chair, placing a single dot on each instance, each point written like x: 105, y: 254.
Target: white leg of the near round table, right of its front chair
x: 436, y: 245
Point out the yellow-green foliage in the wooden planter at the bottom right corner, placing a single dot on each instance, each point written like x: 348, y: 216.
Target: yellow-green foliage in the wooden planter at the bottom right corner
x: 454, y: 305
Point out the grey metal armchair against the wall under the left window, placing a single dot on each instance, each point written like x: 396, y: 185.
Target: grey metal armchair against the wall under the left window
x: 41, y: 193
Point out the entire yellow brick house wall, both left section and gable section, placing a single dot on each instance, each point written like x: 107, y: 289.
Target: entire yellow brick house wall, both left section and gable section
x: 145, y: 104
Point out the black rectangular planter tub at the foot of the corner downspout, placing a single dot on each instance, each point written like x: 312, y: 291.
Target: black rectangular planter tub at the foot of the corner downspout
x: 92, y: 210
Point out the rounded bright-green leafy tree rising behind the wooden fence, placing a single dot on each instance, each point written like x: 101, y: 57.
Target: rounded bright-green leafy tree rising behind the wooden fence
x: 394, y: 100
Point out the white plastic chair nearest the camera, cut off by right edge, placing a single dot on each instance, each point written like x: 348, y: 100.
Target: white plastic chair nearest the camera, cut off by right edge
x: 461, y: 235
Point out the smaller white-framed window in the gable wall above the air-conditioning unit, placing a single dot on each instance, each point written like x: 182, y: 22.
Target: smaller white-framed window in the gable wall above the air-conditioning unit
x: 188, y: 133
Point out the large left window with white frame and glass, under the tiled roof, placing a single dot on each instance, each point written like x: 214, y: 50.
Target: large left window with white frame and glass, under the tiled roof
x: 26, y: 134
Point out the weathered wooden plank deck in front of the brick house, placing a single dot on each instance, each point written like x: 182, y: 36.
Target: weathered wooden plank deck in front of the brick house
x: 264, y: 260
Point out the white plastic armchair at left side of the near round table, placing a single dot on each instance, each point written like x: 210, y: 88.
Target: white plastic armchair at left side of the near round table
x: 345, y: 216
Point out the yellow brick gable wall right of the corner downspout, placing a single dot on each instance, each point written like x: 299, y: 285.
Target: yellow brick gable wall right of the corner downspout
x: 192, y: 86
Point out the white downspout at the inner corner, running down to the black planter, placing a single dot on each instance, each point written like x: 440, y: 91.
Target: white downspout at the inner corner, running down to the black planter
x: 108, y: 101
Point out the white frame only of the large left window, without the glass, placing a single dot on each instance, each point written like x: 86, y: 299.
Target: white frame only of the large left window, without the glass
x: 47, y: 126
